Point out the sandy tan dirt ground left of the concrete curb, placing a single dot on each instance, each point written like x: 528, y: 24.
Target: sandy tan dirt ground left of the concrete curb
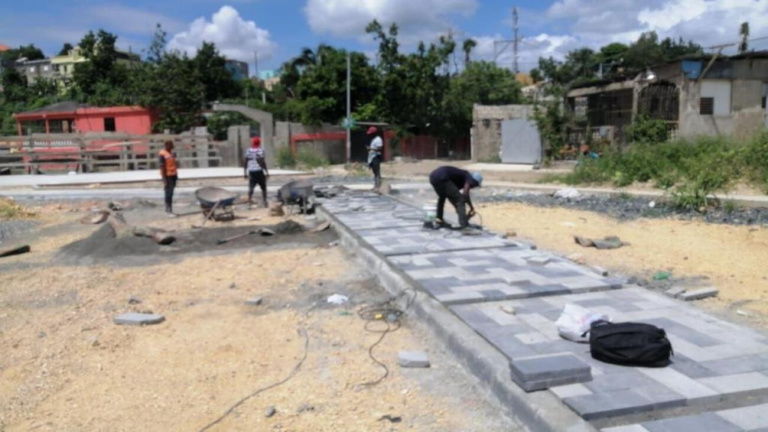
x: 67, y: 367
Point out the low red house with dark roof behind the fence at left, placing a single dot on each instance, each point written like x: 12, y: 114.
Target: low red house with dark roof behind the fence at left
x: 70, y: 117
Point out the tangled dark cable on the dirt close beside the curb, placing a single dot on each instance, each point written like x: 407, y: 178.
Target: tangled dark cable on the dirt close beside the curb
x: 387, y: 313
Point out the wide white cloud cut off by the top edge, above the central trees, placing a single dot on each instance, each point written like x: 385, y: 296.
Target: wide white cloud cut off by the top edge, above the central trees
x: 416, y: 19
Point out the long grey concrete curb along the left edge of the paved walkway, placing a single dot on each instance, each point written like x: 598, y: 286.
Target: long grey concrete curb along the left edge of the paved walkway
x: 538, y: 411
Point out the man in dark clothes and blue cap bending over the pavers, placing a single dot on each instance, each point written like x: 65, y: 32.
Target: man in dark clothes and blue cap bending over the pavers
x: 454, y: 183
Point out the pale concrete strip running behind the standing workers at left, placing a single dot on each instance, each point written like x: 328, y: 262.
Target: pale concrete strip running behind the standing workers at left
x: 125, y: 177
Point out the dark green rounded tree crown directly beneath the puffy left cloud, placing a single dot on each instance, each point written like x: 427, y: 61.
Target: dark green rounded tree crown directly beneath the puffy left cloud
x: 211, y: 71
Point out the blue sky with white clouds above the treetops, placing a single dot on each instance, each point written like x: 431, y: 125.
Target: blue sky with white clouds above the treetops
x: 276, y: 30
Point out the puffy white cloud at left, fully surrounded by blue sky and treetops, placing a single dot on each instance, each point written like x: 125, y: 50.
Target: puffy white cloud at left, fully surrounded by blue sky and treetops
x: 234, y: 37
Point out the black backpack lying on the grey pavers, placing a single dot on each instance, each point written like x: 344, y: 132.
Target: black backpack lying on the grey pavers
x: 630, y: 344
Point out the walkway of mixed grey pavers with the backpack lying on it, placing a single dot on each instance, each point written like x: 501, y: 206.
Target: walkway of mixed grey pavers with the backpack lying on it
x: 512, y: 294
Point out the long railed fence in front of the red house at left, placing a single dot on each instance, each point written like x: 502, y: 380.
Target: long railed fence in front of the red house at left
x: 89, y: 152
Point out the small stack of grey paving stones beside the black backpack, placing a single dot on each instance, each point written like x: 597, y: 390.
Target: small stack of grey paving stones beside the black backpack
x: 538, y: 373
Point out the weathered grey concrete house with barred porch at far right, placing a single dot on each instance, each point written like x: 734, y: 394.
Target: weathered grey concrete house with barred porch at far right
x: 703, y: 95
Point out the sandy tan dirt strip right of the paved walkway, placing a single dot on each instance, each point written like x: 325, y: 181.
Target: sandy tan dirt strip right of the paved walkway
x: 732, y: 258
